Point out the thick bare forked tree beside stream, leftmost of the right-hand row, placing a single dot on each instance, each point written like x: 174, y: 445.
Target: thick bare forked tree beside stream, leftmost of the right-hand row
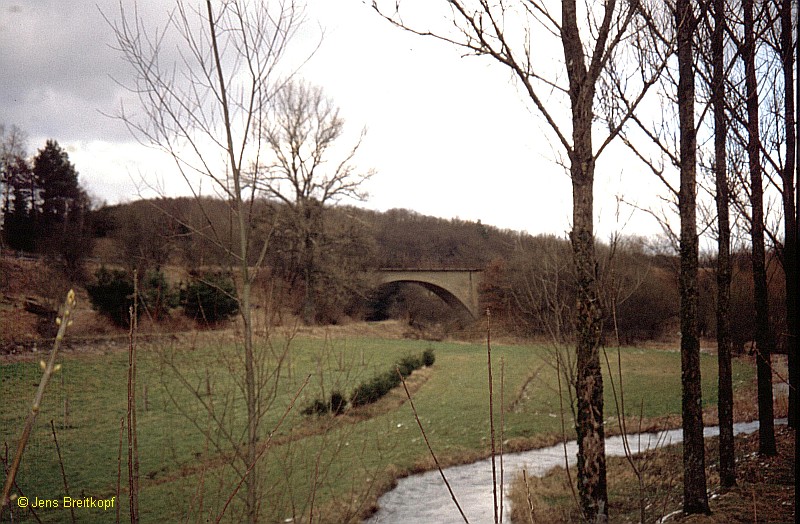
x: 585, y: 41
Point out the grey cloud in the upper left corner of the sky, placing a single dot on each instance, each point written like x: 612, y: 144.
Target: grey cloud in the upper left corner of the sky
x: 58, y: 66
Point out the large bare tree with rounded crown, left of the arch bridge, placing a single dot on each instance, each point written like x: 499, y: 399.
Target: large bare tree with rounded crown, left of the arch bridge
x: 303, y: 132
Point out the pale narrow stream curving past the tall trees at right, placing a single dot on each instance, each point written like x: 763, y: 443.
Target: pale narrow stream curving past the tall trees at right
x: 424, y: 497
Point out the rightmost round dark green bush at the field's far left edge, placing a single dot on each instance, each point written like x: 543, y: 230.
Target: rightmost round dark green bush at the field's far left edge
x: 210, y: 298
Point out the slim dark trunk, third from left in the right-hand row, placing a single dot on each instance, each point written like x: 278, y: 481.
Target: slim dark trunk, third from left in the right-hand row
x: 727, y: 460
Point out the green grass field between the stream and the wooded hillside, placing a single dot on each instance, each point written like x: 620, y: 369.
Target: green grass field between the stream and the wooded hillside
x: 335, y: 467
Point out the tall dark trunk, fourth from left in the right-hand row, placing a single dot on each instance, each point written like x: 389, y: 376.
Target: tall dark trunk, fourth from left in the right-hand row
x: 763, y: 335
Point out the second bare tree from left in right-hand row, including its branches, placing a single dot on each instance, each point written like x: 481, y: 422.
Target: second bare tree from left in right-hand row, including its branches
x: 668, y: 38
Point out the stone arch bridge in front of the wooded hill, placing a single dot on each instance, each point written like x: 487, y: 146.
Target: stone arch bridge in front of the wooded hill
x: 457, y: 287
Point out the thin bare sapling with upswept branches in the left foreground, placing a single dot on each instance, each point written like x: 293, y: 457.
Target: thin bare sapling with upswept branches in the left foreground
x: 204, y: 84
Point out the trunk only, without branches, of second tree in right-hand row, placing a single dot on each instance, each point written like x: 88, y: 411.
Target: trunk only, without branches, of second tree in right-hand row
x: 695, y: 499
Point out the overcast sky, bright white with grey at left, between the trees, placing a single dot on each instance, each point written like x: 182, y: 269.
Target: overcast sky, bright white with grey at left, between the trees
x: 448, y: 136
